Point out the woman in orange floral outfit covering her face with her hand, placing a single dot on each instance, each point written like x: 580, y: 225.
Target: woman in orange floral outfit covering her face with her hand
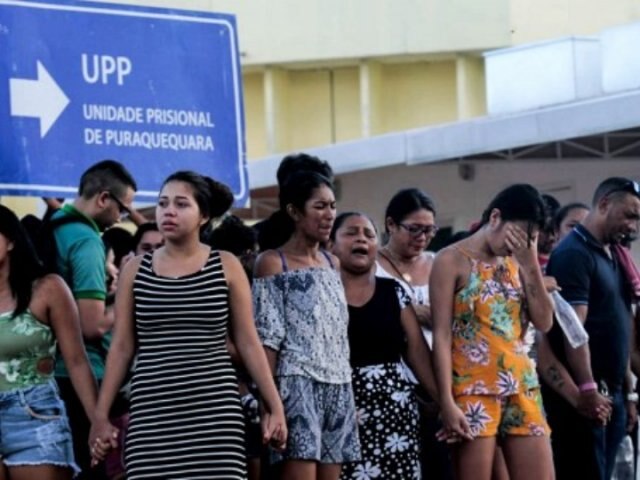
x: 484, y: 291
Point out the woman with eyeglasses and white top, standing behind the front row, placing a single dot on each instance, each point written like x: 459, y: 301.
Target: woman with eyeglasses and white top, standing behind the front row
x: 409, y: 227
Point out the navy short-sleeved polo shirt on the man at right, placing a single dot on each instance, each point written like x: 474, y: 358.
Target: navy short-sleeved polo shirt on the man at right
x: 589, y: 276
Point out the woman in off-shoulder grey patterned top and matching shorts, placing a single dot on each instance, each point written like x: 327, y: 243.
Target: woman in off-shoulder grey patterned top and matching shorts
x: 302, y: 318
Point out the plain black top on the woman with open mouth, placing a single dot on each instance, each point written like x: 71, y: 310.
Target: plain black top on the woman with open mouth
x: 375, y: 330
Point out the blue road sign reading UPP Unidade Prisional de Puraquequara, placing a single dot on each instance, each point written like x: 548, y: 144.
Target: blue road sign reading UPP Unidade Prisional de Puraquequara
x: 159, y: 90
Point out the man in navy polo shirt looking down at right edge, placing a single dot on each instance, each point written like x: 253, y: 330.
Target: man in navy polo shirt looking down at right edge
x: 585, y: 445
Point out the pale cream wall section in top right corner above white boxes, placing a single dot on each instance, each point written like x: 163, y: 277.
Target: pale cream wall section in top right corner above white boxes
x: 544, y: 19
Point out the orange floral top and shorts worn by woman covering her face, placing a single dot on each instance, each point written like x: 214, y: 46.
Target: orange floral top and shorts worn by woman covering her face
x: 494, y: 381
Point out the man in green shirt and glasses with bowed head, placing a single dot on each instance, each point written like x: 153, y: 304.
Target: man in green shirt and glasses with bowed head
x: 104, y: 197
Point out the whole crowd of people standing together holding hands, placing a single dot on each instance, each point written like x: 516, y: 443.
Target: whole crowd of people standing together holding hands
x: 313, y: 345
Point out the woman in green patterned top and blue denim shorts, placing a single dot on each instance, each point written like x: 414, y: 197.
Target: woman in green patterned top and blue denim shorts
x: 37, y: 312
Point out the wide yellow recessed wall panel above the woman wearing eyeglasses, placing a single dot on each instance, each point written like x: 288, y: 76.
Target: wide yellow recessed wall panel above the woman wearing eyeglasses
x: 418, y: 94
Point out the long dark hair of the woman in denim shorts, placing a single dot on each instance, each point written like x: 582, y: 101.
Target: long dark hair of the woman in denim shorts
x: 24, y: 265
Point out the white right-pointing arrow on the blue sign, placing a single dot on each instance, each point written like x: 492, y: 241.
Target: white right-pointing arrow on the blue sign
x: 41, y: 98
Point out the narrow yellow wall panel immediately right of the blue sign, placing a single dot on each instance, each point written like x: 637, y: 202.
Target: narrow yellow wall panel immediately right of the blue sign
x: 254, y: 114
